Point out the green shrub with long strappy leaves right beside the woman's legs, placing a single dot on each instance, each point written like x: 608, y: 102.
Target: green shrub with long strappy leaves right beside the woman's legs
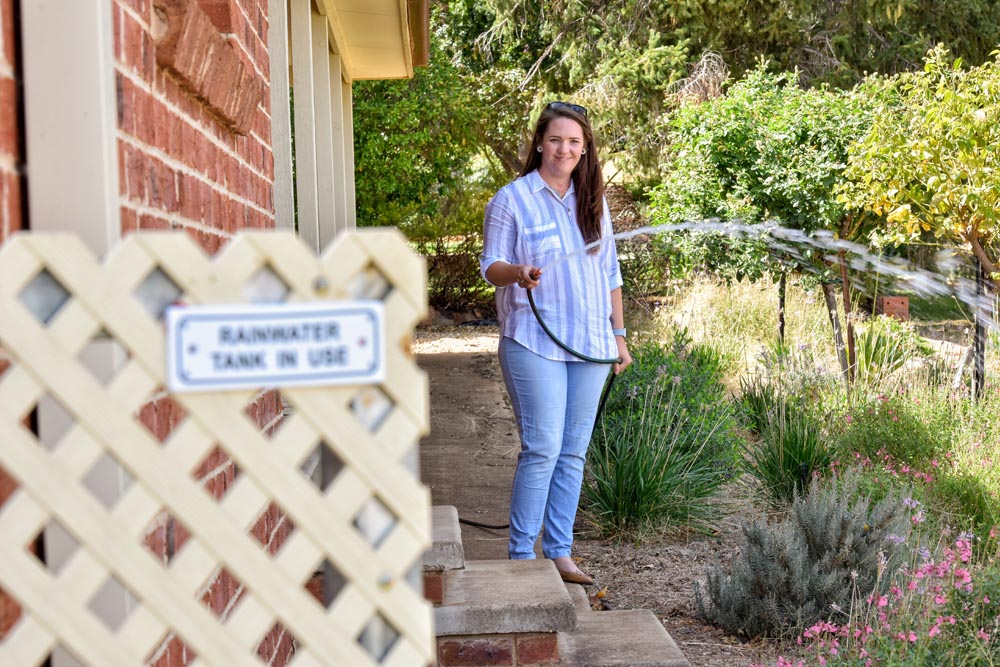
x: 664, y: 443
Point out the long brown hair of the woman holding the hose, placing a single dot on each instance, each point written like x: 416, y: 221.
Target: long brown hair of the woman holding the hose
x: 587, y: 176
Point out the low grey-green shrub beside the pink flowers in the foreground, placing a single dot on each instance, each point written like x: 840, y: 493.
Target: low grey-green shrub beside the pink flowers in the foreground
x: 793, y: 572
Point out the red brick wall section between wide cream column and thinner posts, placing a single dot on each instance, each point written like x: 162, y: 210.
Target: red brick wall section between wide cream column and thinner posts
x: 194, y: 145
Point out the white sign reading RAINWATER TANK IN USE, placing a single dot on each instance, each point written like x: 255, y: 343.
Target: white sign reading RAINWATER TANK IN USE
x: 220, y: 347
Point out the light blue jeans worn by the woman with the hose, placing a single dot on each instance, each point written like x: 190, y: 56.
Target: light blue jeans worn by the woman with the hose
x: 555, y: 404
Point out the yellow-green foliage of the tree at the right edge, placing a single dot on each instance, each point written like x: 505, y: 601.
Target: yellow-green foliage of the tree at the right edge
x: 930, y: 162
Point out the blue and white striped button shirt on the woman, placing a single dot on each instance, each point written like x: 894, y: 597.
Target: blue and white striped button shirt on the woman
x: 528, y: 223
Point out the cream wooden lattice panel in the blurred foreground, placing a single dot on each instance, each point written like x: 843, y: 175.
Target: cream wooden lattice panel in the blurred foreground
x: 375, y: 460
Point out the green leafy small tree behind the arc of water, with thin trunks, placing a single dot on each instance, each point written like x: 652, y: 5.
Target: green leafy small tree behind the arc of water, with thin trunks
x: 768, y: 151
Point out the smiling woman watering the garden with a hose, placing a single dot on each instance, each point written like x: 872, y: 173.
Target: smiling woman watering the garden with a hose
x: 556, y: 207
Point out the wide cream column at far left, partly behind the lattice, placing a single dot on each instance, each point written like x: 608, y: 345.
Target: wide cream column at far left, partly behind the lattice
x: 71, y: 152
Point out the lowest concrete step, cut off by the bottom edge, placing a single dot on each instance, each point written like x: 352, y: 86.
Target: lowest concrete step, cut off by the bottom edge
x: 628, y: 638
